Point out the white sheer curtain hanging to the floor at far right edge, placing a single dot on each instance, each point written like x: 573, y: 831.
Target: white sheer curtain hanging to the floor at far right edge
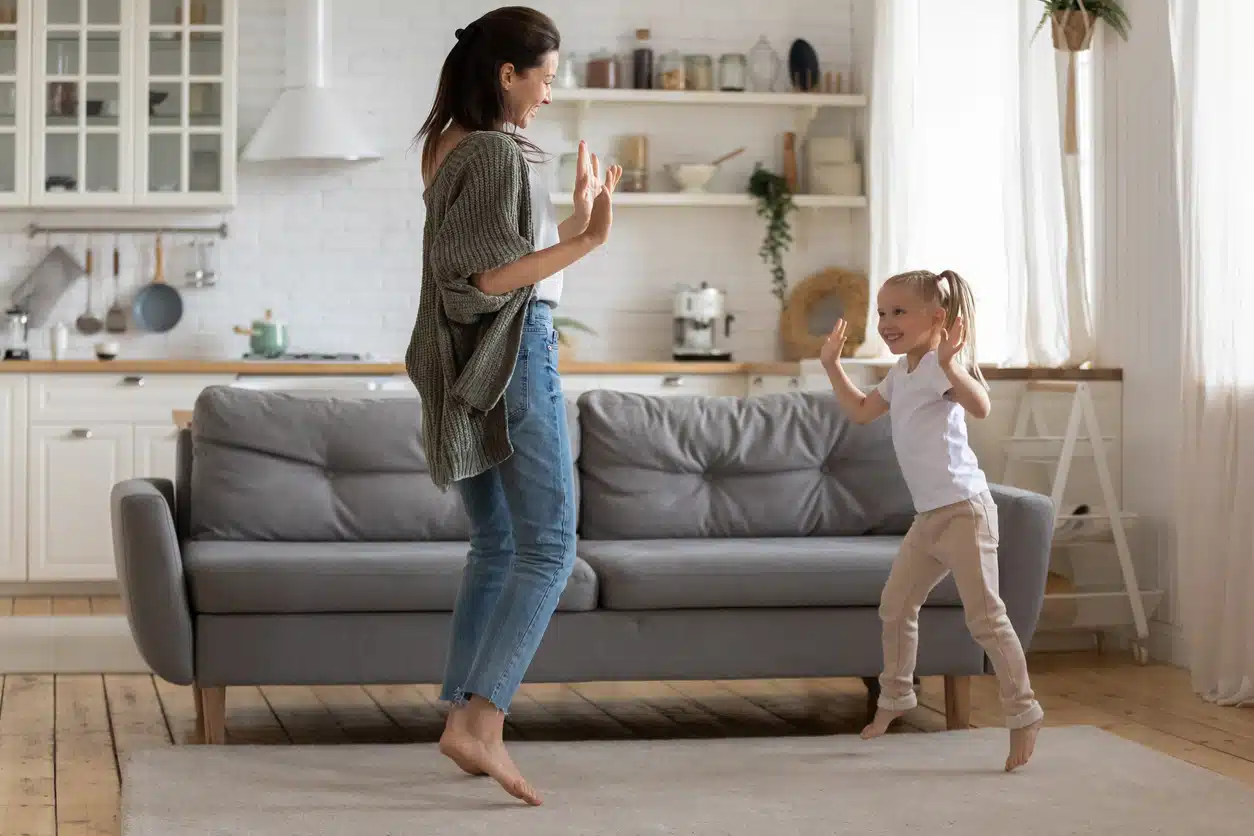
x: 1214, y: 73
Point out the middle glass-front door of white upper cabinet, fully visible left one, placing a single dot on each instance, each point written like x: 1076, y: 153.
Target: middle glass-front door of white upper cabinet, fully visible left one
x: 82, y: 67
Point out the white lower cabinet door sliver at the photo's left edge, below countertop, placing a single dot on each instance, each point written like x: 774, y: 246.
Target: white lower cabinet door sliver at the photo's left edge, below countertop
x: 13, y: 478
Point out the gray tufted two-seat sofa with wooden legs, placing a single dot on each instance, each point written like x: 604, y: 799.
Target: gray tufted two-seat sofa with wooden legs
x: 303, y: 543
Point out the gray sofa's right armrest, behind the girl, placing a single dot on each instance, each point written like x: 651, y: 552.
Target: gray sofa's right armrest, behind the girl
x: 1026, y: 535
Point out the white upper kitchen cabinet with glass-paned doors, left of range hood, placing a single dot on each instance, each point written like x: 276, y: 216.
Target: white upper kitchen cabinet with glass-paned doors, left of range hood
x: 119, y: 103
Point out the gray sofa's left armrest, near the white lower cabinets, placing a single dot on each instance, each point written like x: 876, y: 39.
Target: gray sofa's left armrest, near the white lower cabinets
x: 151, y: 573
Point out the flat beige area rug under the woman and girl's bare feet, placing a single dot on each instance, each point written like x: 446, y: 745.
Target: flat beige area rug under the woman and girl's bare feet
x: 1082, y: 781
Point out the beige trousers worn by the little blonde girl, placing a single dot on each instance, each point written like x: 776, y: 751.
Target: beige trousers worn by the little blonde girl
x: 960, y: 538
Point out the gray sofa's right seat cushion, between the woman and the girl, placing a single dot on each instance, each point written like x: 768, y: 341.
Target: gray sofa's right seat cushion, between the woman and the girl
x: 773, y: 572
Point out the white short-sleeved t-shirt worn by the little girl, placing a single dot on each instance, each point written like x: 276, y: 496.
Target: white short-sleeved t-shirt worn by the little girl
x: 930, y: 436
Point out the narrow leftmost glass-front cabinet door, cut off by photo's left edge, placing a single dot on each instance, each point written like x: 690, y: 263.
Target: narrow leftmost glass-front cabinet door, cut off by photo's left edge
x: 14, y: 106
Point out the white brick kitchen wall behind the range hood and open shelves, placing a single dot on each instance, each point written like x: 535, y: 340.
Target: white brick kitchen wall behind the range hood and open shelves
x: 338, y: 254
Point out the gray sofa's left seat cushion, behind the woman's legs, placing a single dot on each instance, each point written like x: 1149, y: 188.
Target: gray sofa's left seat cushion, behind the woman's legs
x: 228, y: 577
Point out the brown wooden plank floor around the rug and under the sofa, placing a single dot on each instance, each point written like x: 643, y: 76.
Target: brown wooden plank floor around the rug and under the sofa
x: 62, y: 738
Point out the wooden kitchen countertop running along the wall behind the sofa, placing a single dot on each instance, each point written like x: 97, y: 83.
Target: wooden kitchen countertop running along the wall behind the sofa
x: 192, y: 367
